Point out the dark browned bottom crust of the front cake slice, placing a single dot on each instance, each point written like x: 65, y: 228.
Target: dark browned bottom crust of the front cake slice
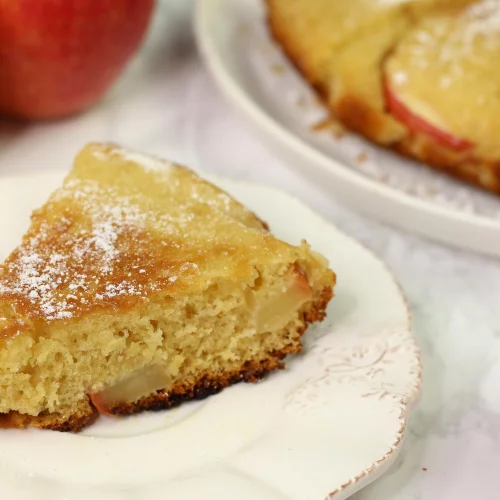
x: 206, y: 385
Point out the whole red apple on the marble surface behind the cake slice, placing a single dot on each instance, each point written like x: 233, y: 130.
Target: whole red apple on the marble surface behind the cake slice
x: 58, y: 57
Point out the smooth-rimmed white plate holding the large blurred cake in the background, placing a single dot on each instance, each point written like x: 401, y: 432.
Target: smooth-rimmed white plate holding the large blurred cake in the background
x: 258, y: 80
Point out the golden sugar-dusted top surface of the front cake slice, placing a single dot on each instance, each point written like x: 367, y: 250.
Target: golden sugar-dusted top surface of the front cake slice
x: 124, y: 227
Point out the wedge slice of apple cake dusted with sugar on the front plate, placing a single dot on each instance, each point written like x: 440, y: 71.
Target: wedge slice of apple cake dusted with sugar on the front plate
x: 139, y: 286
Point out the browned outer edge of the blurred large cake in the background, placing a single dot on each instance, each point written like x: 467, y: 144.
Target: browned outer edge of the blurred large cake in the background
x: 360, y: 117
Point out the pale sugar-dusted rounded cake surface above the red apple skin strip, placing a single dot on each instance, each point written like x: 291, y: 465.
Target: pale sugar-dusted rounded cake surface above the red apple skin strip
x: 446, y: 70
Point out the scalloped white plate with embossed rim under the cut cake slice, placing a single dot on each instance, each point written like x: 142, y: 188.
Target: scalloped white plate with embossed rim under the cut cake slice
x: 330, y: 423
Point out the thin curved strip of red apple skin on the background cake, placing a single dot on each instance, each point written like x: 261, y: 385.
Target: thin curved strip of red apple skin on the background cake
x: 416, y: 124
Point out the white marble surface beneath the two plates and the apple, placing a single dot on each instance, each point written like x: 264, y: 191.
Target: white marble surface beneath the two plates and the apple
x: 166, y: 103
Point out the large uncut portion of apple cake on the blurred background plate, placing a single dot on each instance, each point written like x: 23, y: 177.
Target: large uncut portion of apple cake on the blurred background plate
x: 418, y: 76
